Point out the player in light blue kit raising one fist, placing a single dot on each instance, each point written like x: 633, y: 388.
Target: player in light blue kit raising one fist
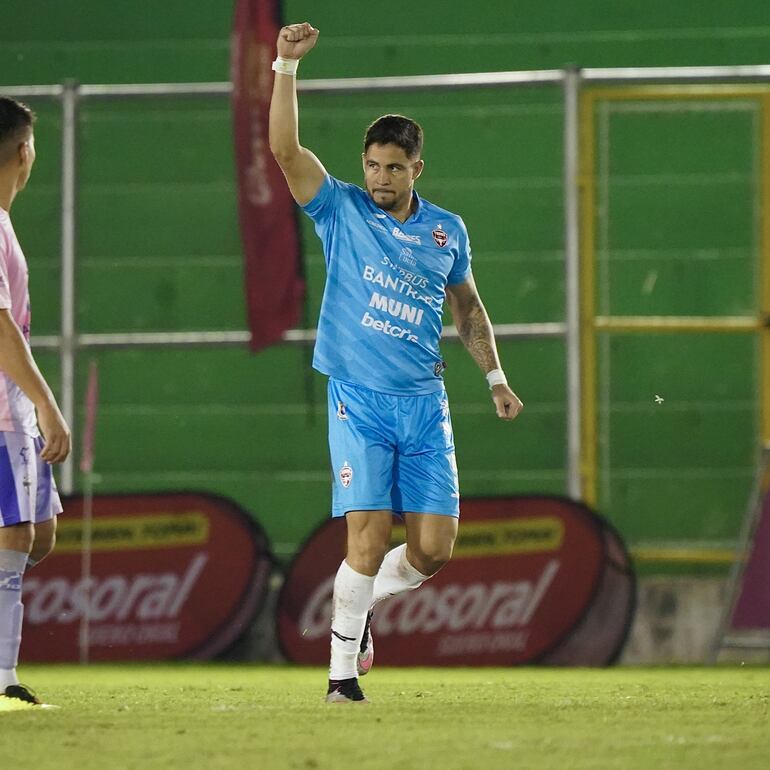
x: 392, y: 258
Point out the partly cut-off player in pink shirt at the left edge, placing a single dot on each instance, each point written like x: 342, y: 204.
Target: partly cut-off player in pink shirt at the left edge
x: 29, y: 502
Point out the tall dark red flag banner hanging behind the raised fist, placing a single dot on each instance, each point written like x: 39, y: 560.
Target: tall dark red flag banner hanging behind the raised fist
x: 275, y: 286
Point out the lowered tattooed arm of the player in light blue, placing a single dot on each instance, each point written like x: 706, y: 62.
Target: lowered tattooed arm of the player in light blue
x: 475, y: 331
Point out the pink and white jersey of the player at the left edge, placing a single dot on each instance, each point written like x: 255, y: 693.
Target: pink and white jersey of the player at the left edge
x: 17, y: 413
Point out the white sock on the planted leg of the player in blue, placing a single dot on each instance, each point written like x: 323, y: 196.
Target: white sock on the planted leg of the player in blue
x: 352, y: 599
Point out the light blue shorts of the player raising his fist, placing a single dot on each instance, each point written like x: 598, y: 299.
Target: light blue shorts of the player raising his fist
x: 391, y: 452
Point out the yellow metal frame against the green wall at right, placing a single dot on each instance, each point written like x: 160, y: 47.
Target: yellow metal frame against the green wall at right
x: 590, y: 323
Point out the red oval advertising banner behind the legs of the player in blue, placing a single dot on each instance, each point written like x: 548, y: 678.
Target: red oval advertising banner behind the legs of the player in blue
x: 531, y: 579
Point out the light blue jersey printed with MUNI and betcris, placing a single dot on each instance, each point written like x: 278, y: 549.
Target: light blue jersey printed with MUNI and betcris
x: 380, y: 321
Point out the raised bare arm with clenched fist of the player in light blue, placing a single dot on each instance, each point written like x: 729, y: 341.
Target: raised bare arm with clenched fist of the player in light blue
x: 303, y: 171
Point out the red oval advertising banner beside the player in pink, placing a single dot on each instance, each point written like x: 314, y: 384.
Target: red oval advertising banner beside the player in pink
x: 171, y: 576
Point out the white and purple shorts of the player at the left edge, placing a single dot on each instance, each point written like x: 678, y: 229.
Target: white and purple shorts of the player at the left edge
x: 27, y: 487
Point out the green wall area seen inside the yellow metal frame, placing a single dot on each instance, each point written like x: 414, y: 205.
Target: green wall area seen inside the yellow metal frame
x: 677, y: 234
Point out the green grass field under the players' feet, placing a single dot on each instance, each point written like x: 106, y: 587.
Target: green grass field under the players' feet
x: 228, y: 716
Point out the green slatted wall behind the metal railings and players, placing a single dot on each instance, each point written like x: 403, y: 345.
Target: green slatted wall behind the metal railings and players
x: 158, y: 247
